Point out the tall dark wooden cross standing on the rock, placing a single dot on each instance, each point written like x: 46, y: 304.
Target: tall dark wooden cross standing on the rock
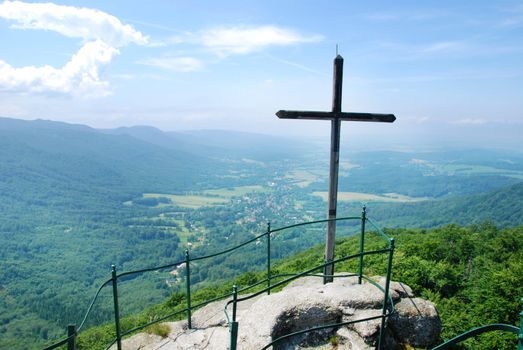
x: 336, y: 117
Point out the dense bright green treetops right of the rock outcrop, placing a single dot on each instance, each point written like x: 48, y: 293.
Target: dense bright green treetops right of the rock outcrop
x: 473, y: 274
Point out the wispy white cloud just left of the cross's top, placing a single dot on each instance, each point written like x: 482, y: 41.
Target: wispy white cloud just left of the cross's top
x: 225, y: 41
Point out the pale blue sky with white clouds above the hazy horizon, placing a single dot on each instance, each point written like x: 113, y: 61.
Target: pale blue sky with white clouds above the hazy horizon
x: 451, y: 71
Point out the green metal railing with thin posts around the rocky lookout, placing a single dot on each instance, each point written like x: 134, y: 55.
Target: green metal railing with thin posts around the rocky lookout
x: 387, y: 310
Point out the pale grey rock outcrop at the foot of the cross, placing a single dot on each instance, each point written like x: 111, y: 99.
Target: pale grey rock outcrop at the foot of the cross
x: 303, y: 304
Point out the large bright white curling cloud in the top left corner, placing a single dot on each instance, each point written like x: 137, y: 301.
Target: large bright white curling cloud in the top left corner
x: 101, y: 33
